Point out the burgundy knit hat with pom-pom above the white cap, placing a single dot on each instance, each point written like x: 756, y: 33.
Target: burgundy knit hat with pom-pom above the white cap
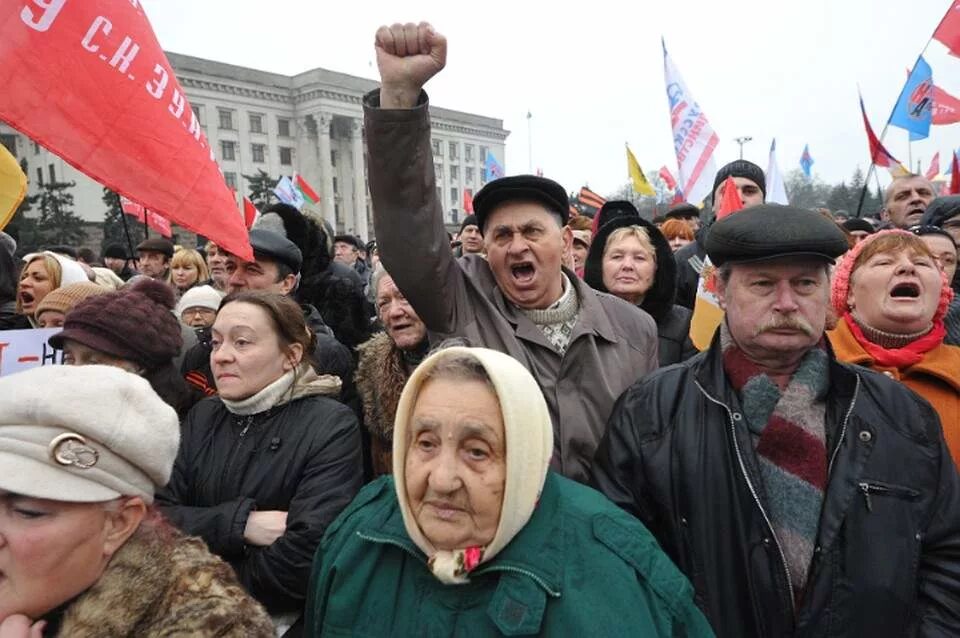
x: 134, y: 324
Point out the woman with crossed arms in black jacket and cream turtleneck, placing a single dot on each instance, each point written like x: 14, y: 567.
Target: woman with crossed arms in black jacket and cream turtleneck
x: 264, y: 467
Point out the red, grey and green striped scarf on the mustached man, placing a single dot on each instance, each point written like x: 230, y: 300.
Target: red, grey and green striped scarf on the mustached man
x: 790, y: 442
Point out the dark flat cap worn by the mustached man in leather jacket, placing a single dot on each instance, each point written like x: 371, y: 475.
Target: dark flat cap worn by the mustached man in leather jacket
x: 770, y: 231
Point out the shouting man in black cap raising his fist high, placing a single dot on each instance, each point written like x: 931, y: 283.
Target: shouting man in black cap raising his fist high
x: 583, y: 347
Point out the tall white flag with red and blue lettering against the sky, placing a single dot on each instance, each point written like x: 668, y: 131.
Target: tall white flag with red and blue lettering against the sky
x: 693, y: 138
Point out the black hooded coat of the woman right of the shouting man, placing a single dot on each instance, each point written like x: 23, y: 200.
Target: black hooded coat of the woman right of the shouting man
x: 673, y: 321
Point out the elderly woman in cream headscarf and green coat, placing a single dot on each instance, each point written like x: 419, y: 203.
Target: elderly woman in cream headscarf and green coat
x: 473, y: 535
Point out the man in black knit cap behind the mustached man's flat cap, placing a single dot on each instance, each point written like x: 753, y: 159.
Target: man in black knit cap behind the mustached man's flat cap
x: 752, y: 189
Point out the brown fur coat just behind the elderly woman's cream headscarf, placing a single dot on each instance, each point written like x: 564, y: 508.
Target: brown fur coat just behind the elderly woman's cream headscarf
x: 381, y: 375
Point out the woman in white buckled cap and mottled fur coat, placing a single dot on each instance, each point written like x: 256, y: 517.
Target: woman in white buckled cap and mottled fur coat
x: 83, y: 550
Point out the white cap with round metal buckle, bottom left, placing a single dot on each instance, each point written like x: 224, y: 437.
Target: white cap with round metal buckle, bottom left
x: 84, y: 434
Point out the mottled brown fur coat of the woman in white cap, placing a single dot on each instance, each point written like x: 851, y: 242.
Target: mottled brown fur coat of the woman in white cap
x: 162, y: 583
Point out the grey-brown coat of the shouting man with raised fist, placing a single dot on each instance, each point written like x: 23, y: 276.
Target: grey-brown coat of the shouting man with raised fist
x: 612, y: 346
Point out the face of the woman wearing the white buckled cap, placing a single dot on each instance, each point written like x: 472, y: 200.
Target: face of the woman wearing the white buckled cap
x: 50, y: 552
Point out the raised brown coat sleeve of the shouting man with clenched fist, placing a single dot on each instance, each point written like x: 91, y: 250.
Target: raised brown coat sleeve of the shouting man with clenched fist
x: 407, y: 216
